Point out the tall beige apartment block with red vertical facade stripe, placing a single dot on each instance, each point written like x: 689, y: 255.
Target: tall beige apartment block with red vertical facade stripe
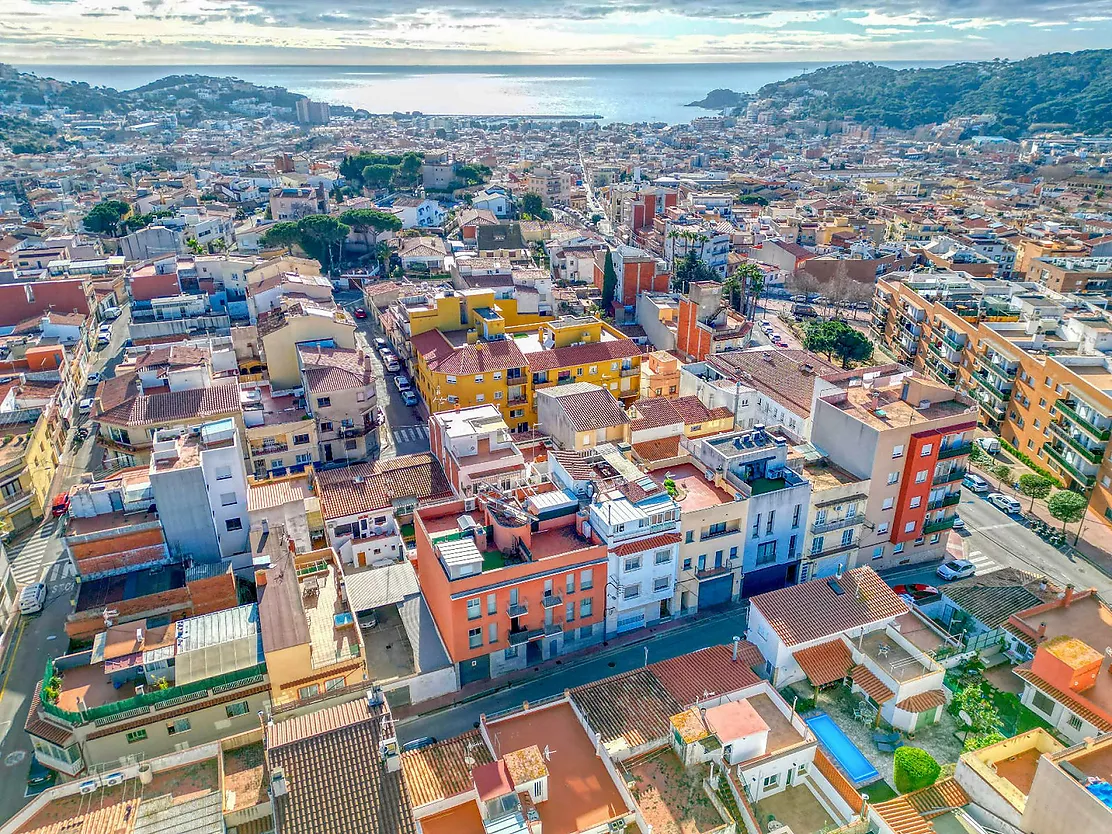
x: 911, y: 439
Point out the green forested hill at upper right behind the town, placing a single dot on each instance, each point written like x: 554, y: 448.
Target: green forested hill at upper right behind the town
x: 1070, y: 92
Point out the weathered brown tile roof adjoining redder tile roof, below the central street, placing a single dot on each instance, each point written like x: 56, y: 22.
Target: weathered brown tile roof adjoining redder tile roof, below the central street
x: 629, y: 710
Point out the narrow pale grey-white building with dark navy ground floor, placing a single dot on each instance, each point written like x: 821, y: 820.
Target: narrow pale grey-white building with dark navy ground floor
x: 754, y: 464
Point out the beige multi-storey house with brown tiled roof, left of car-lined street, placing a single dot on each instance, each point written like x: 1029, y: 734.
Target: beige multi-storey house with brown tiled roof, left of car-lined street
x: 341, y: 398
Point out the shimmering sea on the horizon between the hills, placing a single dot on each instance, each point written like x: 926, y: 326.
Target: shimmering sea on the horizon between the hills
x: 617, y: 93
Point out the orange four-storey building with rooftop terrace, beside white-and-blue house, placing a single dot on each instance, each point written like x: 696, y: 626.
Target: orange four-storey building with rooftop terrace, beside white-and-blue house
x: 511, y: 583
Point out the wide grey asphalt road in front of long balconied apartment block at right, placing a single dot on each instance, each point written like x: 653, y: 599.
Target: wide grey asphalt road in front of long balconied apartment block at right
x: 995, y: 540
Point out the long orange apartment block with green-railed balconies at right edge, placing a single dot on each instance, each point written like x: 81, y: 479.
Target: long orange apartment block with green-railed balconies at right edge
x: 1036, y: 364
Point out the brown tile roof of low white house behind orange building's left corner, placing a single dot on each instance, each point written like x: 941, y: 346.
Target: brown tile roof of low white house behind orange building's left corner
x: 364, y: 488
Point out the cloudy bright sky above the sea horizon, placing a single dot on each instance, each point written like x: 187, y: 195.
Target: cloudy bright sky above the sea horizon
x: 541, y: 32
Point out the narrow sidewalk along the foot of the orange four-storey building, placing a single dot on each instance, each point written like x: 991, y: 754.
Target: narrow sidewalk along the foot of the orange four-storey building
x: 482, y: 689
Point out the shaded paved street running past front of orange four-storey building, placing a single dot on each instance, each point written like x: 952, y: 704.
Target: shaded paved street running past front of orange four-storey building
x: 461, y: 719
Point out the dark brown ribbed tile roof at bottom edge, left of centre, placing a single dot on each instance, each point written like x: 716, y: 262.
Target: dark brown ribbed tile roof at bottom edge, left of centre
x: 337, y: 781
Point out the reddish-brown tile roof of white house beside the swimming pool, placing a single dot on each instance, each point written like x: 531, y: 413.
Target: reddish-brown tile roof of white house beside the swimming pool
x: 813, y: 610
